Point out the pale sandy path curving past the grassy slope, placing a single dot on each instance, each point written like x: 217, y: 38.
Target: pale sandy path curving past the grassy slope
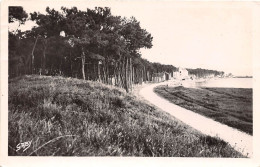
x: 241, y: 142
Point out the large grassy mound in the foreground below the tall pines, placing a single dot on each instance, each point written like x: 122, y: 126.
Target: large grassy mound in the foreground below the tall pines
x: 72, y: 117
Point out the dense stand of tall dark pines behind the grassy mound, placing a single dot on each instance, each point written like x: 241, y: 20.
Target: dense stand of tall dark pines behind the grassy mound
x: 89, y: 44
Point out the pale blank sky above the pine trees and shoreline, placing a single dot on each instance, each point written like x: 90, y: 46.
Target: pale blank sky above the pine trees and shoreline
x: 208, y: 35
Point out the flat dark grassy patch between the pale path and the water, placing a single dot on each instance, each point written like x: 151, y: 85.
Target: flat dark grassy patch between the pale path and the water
x: 230, y: 106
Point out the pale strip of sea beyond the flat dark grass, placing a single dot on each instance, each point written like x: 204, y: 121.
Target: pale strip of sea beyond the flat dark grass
x: 227, y: 83
